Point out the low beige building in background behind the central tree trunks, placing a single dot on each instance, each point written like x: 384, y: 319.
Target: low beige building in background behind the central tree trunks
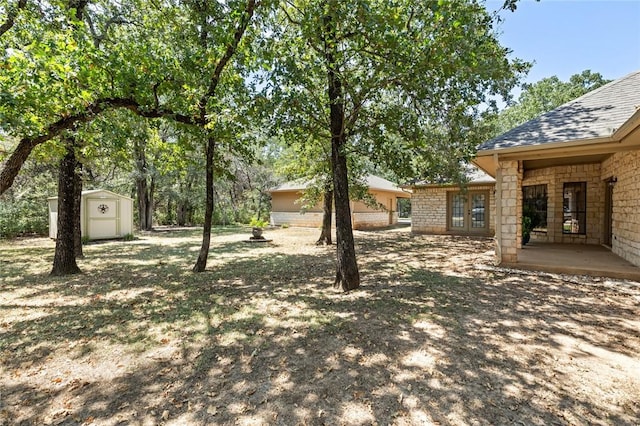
x: 286, y: 208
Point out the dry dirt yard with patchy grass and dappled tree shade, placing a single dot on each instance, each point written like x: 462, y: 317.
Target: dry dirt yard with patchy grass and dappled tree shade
x: 435, y: 335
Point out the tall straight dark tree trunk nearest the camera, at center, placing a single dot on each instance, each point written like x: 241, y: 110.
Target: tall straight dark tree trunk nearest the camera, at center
x: 347, y: 274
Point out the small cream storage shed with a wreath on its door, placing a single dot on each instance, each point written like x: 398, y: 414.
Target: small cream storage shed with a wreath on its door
x: 103, y: 215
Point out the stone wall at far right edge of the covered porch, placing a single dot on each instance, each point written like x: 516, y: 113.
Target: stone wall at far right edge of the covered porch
x: 625, y: 167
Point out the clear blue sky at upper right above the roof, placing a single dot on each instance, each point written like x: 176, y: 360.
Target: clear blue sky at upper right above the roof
x: 565, y: 37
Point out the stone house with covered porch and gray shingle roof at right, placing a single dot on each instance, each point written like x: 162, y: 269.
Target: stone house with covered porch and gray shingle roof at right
x: 577, y: 168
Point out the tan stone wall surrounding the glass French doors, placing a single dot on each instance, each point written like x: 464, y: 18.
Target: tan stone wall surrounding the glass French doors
x: 430, y: 212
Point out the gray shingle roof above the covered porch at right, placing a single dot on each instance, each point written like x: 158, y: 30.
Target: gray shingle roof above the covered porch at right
x: 597, y: 114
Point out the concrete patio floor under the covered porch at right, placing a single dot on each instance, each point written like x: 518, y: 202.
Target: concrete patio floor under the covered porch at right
x: 575, y: 259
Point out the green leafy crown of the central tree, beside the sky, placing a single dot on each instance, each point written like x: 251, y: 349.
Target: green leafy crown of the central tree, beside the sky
x: 416, y: 76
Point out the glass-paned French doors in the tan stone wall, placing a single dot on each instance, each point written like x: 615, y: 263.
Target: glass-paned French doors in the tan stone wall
x: 468, y: 213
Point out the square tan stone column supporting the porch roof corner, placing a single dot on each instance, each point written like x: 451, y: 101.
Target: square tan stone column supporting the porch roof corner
x: 508, y: 206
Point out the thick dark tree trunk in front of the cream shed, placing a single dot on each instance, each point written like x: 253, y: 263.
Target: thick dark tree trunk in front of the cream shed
x: 64, y: 260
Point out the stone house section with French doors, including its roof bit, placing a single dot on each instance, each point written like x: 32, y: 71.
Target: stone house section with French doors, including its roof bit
x: 448, y: 209
